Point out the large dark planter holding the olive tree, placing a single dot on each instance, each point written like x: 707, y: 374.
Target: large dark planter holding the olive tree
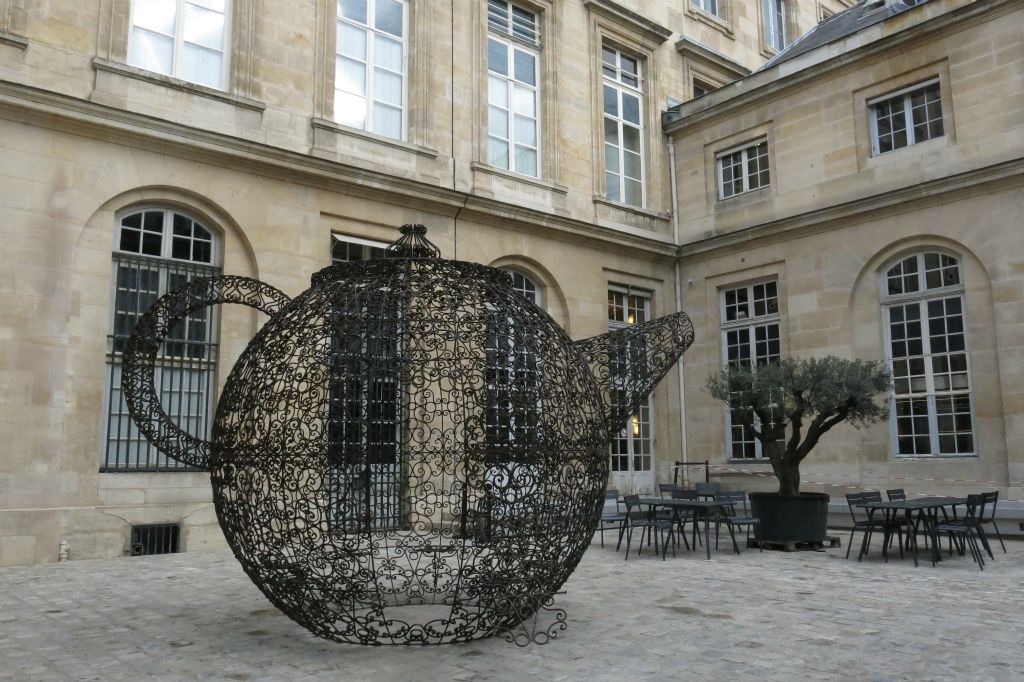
x: 790, y: 519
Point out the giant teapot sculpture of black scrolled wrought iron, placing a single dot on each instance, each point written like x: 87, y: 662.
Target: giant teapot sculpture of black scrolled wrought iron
x: 410, y: 451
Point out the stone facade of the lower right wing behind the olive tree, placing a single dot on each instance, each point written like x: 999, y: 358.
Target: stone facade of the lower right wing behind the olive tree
x: 862, y: 196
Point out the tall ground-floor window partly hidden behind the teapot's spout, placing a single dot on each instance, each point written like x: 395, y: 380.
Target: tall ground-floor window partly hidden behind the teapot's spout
x: 632, y: 448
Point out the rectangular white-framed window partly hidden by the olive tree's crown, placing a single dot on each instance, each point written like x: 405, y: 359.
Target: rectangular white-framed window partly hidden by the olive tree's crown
x: 750, y: 338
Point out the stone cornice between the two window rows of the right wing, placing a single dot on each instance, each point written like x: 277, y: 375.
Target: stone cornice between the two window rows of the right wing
x: 953, y: 188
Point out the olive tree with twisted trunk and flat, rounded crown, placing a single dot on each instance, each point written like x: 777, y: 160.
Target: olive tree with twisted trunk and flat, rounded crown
x: 790, y: 405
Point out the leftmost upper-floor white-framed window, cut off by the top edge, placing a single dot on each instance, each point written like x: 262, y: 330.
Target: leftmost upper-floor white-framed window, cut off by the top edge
x: 188, y: 39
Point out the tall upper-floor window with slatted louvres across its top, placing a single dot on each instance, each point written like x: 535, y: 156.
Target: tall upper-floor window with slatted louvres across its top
x: 514, y: 89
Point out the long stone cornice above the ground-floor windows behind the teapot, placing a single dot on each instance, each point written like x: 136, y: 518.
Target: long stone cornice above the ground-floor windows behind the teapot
x: 73, y: 115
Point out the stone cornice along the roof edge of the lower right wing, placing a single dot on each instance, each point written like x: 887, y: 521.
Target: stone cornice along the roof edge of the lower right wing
x: 764, y: 87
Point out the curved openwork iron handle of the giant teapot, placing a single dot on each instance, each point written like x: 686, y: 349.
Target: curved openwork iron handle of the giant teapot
x: 140, y: 360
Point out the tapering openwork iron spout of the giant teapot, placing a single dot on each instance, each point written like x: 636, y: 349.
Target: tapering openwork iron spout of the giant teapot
x: 629, y: 363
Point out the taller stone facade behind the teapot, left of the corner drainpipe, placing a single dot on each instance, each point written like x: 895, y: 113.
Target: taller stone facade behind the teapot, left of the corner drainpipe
x: 149, y: 142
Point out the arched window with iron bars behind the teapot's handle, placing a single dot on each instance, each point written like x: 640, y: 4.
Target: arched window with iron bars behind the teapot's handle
x: 158, y: 250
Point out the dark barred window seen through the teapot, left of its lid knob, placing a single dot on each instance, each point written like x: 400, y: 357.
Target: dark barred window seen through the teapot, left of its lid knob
x: 365, y: 408
